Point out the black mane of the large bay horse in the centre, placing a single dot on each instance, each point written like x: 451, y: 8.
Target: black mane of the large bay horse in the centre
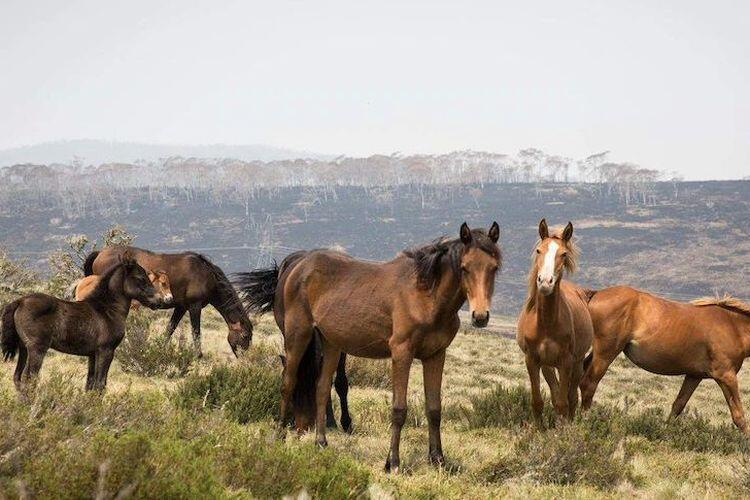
x: 428, y: 258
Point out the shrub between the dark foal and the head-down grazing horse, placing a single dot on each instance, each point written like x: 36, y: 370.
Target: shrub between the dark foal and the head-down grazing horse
x: 148, y: 355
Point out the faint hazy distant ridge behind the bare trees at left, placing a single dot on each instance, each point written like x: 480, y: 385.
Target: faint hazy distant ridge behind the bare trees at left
x: 95, y: 152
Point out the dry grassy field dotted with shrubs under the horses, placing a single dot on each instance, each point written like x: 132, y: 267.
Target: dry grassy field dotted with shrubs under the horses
x: 205, y: 429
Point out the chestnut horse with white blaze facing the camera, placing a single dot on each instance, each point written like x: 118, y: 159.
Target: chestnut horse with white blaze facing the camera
x: 554, y: 328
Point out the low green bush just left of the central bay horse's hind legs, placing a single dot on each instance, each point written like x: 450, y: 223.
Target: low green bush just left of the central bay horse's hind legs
x: 245, y: 392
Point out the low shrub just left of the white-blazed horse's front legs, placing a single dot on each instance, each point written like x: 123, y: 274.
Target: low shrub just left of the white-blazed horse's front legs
x: 505, y: 407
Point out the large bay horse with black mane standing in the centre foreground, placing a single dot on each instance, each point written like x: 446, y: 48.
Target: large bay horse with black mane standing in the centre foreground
x: 403, y: 309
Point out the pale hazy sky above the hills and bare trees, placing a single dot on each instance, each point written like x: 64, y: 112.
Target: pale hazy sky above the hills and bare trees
x: 665, y: 84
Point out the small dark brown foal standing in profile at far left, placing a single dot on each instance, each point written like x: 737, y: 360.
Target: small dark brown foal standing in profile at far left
x: 93, y: 327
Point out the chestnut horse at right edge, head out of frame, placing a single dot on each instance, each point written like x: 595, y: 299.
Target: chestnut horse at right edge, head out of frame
x: 708, y: 338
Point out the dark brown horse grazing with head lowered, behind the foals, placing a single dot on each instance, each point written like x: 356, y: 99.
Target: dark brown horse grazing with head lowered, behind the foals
x: 195, y: 282
